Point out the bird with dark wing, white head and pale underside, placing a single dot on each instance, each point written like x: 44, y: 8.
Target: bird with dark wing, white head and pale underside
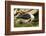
x: 25, y: 18
